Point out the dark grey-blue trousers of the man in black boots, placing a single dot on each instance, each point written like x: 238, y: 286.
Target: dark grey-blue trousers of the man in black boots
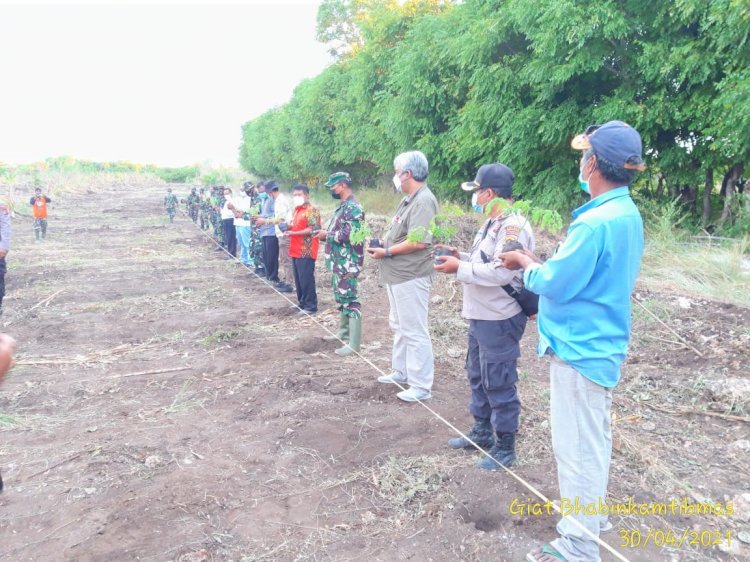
x: 491, y: 368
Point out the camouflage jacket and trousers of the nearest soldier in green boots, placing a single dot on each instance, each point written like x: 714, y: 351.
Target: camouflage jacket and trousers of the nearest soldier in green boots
x: 343, y: 258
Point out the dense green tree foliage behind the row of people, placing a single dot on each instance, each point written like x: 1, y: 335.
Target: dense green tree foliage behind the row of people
x: 512, y: 81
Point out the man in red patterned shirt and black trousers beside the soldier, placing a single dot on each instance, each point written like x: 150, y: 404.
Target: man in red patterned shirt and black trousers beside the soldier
x: 303, y: 248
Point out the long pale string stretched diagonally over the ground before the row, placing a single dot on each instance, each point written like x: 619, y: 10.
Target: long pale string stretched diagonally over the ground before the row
x: 529, y: 486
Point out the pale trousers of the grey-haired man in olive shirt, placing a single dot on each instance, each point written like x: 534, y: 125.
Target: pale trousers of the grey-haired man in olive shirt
x: 412, y: 347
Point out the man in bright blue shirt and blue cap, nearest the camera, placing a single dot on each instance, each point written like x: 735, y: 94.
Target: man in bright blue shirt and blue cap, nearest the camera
x: 584, y: 325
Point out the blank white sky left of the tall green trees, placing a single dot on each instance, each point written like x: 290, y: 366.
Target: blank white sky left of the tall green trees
x: 167, y: 84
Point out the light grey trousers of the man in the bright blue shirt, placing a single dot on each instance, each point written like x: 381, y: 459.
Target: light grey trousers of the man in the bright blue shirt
x: 582, y: 442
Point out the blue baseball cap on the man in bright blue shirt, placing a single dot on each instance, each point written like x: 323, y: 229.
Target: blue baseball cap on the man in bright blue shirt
x: 614, y: 141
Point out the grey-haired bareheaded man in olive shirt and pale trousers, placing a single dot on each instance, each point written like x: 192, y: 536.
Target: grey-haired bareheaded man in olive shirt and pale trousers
x: 406, y: 269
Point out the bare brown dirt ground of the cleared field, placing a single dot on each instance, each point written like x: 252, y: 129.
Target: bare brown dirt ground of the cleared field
x: 167, y: 405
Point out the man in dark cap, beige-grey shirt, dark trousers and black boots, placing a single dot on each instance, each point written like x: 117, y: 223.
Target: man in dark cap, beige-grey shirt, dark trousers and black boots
x: 496, y: 320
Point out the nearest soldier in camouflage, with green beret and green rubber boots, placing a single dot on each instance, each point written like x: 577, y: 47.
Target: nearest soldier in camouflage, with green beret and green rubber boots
x: 344, y: 259
